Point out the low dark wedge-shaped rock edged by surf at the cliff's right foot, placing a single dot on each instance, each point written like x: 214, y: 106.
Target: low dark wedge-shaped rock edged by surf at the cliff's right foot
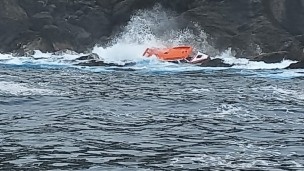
x: 274, y: 57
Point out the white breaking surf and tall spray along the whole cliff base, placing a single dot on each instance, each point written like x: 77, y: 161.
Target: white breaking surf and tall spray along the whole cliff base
x: 151, y: 28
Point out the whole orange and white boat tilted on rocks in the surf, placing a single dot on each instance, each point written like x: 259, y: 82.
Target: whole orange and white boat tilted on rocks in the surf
x: 180, y: 53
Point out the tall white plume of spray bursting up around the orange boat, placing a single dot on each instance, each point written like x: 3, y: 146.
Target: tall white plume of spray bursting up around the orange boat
x: 157, y: 27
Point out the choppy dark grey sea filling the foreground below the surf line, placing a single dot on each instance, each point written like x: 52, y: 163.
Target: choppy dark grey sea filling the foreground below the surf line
x: 79, y: 120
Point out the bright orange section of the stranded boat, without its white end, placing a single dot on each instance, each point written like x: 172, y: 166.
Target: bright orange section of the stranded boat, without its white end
x: 175, y: 53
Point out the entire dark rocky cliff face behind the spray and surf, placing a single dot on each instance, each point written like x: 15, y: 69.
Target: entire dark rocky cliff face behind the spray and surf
x: 273, y: 28
